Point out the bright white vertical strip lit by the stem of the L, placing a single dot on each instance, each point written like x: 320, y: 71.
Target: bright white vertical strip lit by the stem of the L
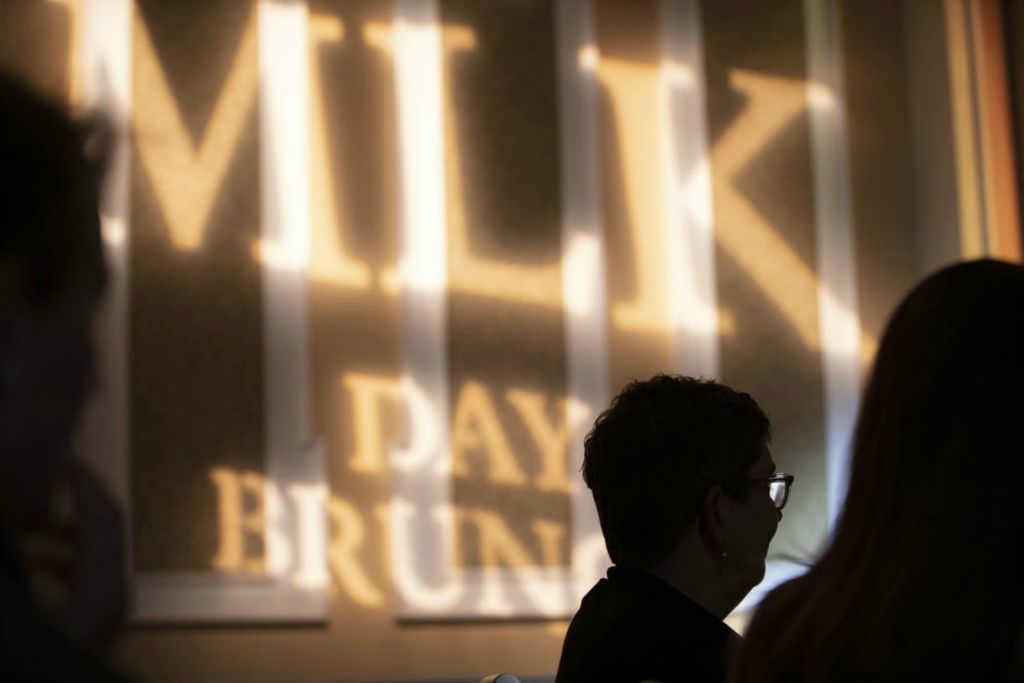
x: 422, y: 524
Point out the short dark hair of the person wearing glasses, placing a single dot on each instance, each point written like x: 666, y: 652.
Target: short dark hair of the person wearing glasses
x: 655, y: 453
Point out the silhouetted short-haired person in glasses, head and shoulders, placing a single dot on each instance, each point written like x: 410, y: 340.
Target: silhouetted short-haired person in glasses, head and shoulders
x: 689, y: 499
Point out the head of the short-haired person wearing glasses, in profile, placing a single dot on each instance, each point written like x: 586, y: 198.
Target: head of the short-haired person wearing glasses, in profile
x: 680, y: 469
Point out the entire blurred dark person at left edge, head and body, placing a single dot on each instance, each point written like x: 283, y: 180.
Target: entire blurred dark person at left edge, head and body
x: 62, y: 567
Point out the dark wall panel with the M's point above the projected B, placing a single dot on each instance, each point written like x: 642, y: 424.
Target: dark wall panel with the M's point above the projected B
x: 196, y: 324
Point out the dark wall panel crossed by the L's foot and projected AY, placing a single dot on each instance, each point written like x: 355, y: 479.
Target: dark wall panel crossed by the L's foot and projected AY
x: 506, y: 346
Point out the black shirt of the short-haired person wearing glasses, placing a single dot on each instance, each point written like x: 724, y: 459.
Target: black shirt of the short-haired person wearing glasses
x: 634, y: 627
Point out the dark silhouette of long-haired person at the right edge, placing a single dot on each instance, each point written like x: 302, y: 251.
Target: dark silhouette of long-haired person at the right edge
x: 923, y: 578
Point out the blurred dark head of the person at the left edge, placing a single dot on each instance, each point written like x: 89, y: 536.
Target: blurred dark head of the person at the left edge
x: 52, y: 277
